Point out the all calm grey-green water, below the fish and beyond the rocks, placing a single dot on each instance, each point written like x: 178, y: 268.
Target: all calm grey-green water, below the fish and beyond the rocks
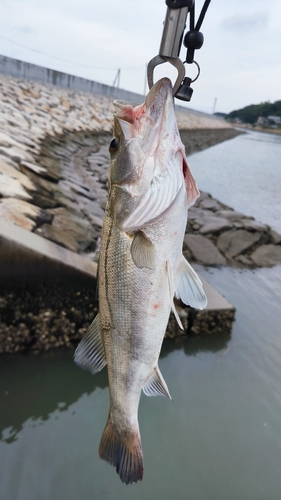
x: 220, y: 437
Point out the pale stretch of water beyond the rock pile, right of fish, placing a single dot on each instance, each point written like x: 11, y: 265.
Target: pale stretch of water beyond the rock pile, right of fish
x: 244, y: 173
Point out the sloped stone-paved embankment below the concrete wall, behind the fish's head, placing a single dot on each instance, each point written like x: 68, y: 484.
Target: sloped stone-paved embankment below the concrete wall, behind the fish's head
x: 54, y: 159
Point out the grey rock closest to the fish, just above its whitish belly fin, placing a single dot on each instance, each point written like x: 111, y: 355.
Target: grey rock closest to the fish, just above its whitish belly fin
x: 204, y: 250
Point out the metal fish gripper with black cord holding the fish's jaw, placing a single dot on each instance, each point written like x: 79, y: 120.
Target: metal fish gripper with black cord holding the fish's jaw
x: 173, y: 37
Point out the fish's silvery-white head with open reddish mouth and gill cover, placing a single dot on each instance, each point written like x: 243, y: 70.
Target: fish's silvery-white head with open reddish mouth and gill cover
x: 146, y: 152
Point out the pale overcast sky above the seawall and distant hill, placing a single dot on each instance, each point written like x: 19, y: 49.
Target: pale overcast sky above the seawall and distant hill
x: 240, y: 60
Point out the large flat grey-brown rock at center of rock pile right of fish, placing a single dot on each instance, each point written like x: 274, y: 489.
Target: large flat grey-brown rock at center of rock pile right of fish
x: 234, y: 242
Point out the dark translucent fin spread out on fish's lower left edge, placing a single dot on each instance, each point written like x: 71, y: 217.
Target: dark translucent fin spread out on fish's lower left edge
x: 90, y: 354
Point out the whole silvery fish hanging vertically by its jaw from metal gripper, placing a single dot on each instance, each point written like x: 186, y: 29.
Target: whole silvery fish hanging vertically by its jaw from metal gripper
x: 141, y: 268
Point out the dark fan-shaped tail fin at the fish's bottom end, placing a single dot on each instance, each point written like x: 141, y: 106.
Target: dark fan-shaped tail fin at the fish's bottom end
x: 123, y: 451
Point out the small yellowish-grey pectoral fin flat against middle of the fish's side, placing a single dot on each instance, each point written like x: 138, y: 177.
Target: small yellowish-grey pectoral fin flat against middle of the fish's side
x: 143, y: 251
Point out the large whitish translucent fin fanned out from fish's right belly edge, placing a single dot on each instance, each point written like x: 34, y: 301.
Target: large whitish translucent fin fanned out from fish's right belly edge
x: 189, y: 287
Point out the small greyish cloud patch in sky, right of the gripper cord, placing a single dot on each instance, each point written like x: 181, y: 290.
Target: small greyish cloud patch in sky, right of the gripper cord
x: 246, y: 23
